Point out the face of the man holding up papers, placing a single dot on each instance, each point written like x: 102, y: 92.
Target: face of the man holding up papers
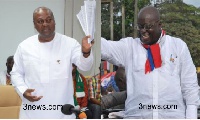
x: 44, y: 23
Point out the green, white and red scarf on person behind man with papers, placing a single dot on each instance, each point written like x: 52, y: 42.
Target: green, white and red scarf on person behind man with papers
x: 79, y: 88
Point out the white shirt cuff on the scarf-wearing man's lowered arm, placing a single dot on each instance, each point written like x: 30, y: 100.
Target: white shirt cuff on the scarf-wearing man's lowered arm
x: 191, y: 112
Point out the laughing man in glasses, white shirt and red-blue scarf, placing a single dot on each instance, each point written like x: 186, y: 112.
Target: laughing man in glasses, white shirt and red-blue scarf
x: 161, y: 76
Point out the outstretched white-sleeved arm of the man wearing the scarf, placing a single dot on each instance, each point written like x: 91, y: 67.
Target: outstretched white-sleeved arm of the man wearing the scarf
x: 113, y: 51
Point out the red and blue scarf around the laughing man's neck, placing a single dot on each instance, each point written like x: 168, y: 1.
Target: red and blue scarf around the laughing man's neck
x: 154, y: 57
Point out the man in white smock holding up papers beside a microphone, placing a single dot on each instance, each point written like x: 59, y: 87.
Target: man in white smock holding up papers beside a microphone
x: 42, y: 70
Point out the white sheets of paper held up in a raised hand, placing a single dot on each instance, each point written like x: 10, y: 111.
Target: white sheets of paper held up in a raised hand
x: 86, y: 17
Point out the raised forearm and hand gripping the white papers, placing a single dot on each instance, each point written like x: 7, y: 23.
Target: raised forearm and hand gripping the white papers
x: 82, y: 61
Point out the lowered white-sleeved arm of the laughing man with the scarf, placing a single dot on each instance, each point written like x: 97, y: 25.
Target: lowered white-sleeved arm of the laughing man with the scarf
x: 189, y: 84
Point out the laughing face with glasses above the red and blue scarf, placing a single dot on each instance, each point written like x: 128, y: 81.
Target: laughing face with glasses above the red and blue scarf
x: 149, y: 30
